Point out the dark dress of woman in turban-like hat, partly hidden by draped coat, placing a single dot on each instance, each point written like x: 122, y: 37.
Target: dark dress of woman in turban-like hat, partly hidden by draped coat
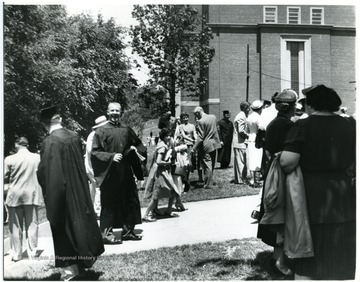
x: 275, y: 137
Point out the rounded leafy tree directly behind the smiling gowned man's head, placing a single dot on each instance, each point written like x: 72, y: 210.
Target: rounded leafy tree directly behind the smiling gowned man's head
x: 99, y: 55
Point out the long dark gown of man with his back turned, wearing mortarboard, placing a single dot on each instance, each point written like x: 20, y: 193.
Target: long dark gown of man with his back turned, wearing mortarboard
x: 61, y: 174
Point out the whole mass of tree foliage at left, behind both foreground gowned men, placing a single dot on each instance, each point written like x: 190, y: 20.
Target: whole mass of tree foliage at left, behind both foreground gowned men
x: 75, y: 62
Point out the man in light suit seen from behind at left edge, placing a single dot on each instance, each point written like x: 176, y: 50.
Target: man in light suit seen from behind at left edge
x: 23, y: 199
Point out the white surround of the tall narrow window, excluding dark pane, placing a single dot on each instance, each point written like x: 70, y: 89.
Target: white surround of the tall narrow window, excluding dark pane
x: 305, y: 59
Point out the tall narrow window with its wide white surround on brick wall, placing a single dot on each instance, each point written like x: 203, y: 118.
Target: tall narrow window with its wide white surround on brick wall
x: 295, y: 62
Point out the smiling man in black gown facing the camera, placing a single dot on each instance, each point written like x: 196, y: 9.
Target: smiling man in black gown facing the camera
x: 115, y: 162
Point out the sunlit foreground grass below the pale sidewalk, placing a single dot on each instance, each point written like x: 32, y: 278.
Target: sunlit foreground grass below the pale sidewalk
x: 246, y: 259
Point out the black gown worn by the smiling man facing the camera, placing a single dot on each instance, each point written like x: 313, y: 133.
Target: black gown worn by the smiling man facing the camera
x: 120, y: 203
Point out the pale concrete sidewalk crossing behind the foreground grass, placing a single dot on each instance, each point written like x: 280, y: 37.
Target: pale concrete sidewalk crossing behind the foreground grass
x: 214, y: 221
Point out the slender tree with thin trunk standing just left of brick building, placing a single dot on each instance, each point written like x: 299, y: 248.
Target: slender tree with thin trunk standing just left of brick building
x: 174, y: 42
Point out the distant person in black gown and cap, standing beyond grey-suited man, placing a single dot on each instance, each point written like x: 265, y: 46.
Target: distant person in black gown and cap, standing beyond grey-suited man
x: 226, y: 131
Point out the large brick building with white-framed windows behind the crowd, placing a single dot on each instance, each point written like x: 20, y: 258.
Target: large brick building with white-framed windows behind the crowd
x: 262, y: 49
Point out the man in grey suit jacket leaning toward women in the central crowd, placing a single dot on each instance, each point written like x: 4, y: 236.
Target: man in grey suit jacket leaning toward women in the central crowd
x: 208, y: 140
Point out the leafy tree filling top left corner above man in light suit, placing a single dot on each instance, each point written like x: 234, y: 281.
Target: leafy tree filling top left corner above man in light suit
x: 33, y: 56
